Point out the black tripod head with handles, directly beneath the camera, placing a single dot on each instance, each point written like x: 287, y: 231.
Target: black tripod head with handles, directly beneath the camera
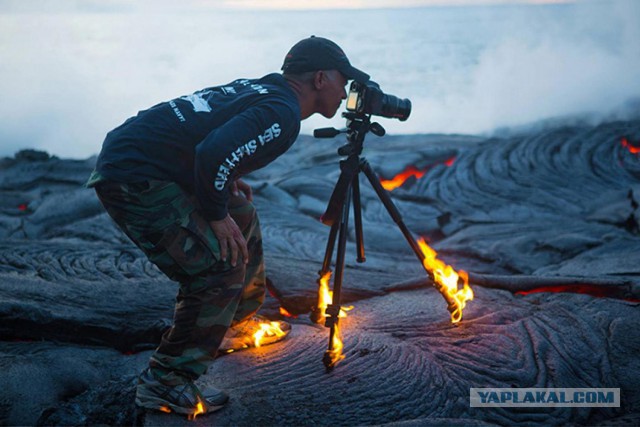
x: 358, y: 125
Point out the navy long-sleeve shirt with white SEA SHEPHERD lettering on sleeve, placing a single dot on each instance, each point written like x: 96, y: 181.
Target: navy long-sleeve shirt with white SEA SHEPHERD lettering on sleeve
x: 205, y: 140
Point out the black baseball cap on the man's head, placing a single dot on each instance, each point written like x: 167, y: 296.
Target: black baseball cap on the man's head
x: 318, y: 53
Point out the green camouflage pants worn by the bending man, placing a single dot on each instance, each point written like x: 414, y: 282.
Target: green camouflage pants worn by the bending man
x: 164, y: 222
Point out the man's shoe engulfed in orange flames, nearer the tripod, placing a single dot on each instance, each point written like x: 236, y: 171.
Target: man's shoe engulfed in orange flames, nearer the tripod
x: 254, y: 332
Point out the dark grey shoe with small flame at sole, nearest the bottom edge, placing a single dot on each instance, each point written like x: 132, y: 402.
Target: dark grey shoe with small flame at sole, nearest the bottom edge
x: 183, y: 399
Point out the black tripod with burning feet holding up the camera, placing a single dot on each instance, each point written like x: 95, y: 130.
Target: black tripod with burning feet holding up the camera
x: 345, y: 193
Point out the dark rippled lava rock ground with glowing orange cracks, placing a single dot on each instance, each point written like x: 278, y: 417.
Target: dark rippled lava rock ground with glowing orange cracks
x: 552, y: 210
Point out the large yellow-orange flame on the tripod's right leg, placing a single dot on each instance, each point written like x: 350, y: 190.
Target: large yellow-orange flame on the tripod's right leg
x: 446, y: 279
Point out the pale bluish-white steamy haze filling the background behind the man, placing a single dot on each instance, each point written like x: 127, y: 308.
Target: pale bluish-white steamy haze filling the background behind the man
x: 68, y: 78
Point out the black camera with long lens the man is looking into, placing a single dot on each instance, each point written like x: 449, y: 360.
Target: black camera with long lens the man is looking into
x: 368, y: 98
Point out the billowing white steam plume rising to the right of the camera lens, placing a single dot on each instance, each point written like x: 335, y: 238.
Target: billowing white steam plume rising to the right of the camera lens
x: 591, y: 66
